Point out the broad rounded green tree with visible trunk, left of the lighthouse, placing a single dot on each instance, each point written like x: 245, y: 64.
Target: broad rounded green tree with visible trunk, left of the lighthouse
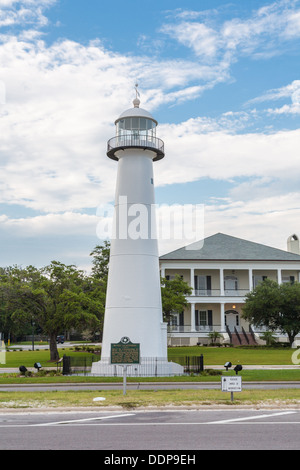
x: 56, y: 298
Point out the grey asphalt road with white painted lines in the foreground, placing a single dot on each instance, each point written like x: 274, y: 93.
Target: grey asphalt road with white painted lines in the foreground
x: 167, y: 433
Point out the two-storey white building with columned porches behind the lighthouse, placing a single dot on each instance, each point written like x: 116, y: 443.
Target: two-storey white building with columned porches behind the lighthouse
x: 221, y: 273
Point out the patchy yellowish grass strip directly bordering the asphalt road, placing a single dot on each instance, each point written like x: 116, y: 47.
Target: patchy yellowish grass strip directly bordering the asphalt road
x: 135, y: 399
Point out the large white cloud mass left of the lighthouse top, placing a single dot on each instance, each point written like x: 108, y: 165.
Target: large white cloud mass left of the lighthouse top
x: 61, y: 103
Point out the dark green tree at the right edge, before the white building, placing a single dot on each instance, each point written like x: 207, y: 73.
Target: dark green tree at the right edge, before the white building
x: 275, y: 306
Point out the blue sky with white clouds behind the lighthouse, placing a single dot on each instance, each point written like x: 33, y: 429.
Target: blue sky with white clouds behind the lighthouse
x: 221, y: 78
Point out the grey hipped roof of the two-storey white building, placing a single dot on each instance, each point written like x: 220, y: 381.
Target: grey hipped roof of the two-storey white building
x: 226, y: 247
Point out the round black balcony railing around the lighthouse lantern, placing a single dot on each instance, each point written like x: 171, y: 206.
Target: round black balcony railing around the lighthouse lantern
x: 144, y: 142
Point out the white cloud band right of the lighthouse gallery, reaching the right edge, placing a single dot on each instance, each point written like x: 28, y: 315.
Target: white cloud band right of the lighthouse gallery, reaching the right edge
x: 219, y: 154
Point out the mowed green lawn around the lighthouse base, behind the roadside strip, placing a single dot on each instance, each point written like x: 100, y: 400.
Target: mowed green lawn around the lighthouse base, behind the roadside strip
x: 212, y: 356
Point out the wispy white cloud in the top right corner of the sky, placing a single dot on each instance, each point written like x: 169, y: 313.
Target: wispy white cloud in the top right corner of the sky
x: 261, y: 35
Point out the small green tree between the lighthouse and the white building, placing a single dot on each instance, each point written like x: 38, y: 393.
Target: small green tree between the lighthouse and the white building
x: 173, y: 294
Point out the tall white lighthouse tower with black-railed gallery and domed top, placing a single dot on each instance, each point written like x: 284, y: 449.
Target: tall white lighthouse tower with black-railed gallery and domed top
x: 133, y: 302
